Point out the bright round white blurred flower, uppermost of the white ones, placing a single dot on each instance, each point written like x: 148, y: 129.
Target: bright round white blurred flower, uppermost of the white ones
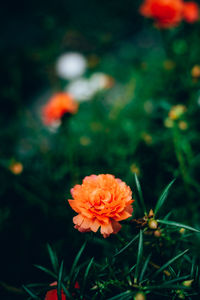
x: 71, y: 65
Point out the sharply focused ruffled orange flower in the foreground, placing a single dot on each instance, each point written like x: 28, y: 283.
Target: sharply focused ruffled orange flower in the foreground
x: 101, y: 201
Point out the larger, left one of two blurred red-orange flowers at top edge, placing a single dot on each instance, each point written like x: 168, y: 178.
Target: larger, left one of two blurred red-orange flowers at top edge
x: 167, y: 13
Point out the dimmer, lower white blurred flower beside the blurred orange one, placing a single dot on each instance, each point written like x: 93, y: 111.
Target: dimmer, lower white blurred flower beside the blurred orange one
x: 81, y: 89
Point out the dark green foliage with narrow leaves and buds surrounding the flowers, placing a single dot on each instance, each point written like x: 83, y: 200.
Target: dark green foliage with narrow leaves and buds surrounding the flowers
x: 142, y: 127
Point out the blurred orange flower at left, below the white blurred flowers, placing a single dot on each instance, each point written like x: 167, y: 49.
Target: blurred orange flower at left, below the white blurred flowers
x: 57, y: 106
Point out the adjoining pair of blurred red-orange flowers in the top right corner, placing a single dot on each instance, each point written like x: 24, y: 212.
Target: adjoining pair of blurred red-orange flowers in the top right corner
x: 169, y: 13
